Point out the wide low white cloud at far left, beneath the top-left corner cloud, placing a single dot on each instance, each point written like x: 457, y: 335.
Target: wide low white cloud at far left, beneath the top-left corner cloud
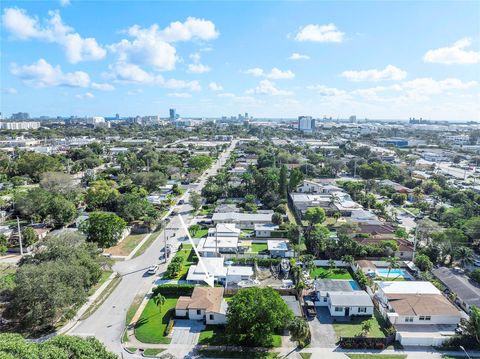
x: 42, y: 74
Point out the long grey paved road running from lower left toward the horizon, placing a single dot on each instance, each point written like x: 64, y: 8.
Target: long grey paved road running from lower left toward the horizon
x: 108, y: 322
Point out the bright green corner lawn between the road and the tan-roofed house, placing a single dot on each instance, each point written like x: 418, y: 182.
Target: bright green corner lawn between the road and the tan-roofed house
x: 152, y: 323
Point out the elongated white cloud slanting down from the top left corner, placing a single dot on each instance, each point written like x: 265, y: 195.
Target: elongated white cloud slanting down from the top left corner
x: 25, y: 27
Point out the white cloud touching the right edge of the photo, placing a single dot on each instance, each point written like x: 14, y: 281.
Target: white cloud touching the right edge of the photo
x: 456, y: 54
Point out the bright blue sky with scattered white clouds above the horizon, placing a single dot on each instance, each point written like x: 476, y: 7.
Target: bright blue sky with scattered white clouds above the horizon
x: 376, y: 60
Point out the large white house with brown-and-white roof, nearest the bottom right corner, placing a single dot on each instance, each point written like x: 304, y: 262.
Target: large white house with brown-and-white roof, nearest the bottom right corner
x: 421, y: 315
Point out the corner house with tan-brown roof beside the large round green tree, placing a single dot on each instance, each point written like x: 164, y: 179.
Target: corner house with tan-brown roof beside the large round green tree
x: 205, y: 304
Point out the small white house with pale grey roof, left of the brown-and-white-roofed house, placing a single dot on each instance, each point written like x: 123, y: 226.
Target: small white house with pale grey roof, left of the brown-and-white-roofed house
x: 343, y: 298
